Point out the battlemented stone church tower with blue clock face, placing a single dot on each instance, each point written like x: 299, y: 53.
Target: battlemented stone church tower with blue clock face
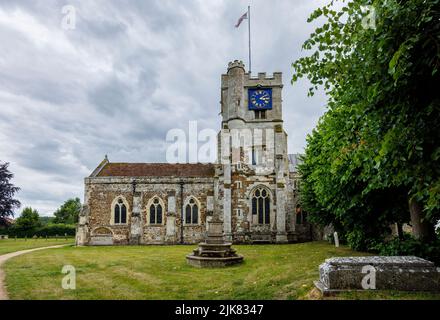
x: 253, y: 154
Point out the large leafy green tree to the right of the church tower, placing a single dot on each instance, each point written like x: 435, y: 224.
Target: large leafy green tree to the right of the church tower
x: 374, y: 157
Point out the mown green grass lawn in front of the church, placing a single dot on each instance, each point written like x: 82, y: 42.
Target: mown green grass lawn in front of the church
x: 161, y: 272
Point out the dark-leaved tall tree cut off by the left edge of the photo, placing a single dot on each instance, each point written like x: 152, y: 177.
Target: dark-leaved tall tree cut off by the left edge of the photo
x: 7, y: 192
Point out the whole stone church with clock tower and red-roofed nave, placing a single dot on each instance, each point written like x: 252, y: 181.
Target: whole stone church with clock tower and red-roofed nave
x: 252, y: 187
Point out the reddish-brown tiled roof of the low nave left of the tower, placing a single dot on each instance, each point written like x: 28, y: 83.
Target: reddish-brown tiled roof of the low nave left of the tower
x: 157, y: 170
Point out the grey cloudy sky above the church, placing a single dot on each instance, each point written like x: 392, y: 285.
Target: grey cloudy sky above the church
x: 126, y: 74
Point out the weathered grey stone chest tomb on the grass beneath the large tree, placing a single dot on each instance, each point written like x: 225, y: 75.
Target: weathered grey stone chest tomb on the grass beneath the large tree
x: 405, y: 273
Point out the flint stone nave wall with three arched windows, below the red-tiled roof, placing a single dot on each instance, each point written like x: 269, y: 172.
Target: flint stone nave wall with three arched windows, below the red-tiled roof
x: 102, y: 191
